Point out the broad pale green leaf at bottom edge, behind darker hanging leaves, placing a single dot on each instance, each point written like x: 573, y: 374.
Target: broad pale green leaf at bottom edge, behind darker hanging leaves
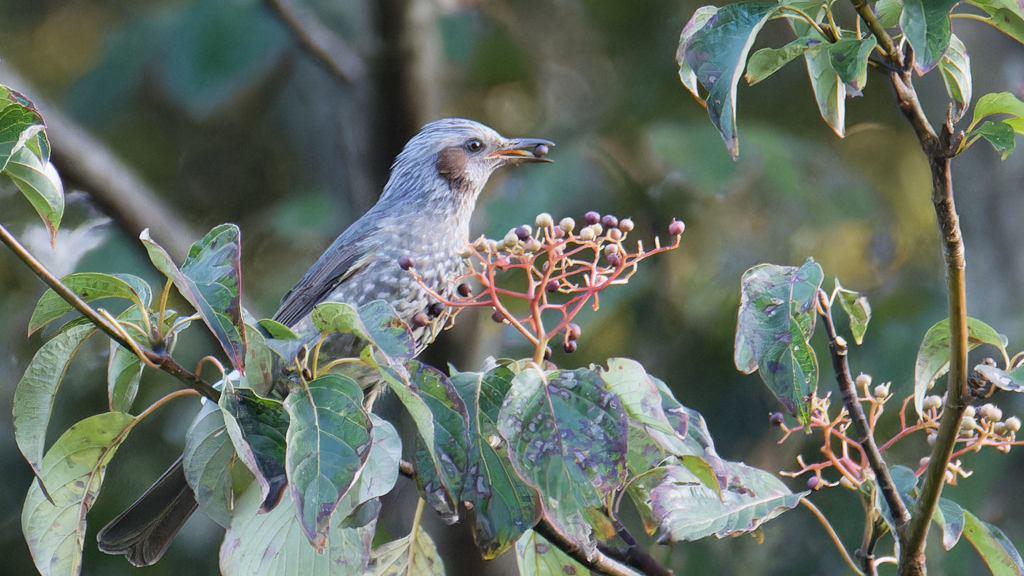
x: 273, y: 544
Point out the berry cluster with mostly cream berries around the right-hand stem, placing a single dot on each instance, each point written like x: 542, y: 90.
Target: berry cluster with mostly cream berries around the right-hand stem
x: 980, y: 428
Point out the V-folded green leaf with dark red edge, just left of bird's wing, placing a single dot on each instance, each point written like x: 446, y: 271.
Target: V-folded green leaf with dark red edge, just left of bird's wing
x: 211, y: 280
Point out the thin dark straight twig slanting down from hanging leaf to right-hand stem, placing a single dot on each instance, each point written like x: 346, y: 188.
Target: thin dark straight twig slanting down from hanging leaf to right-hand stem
x: 848, y: 391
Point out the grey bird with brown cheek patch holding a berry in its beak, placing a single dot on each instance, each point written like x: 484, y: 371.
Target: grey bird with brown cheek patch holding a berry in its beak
x: 420, y: 221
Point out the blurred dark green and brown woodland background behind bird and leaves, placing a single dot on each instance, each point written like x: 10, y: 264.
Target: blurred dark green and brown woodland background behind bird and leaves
x: 216, y: 107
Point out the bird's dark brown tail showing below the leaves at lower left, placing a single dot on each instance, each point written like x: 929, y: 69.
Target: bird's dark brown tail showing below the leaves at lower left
x: 144, y: 532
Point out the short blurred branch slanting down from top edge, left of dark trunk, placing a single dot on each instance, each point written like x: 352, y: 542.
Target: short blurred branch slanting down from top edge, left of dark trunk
x: 320, y: 42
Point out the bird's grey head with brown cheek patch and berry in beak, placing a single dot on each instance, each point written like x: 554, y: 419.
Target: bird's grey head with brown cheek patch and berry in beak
x: 452, y: 160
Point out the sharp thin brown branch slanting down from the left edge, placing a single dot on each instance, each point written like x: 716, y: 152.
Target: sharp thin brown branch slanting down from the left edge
x: 164, y: 361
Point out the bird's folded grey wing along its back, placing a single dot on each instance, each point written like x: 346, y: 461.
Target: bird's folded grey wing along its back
x: 345, y: 258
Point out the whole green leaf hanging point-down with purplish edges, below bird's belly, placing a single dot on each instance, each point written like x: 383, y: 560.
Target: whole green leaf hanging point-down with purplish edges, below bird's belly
x: 329, y: 440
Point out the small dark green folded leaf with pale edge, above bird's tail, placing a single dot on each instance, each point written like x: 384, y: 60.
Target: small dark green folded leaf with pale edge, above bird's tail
x: 258, y: 428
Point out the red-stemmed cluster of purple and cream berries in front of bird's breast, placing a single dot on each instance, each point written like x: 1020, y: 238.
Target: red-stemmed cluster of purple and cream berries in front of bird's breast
x: 566, y: 269
